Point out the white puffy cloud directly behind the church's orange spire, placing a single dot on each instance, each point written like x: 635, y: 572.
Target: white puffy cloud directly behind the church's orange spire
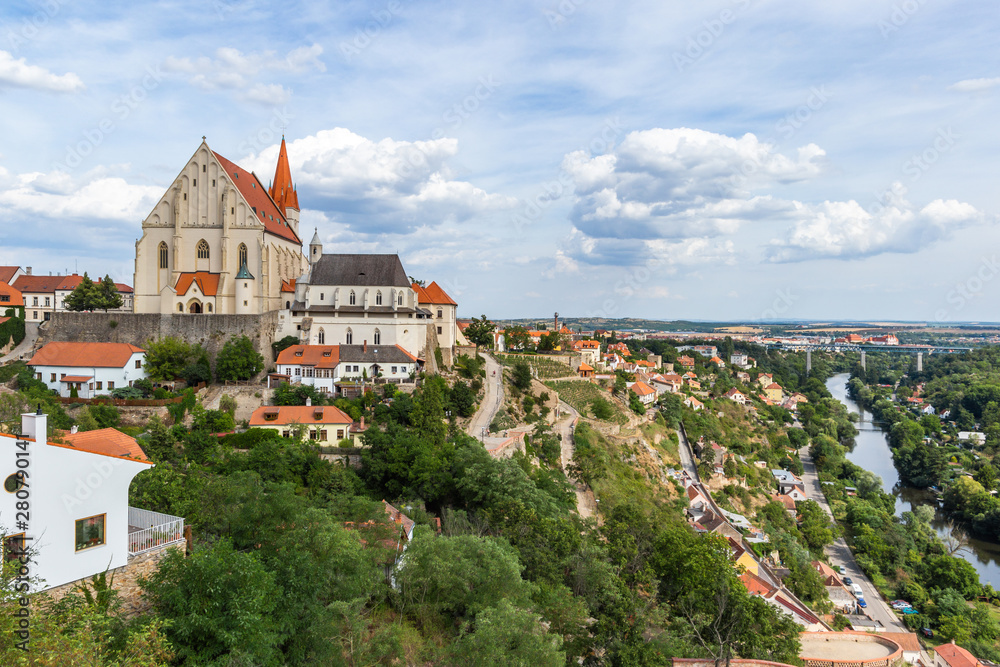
x: 383, y: 186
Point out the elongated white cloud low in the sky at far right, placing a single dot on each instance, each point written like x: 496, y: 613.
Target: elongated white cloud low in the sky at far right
x: 845, y: 230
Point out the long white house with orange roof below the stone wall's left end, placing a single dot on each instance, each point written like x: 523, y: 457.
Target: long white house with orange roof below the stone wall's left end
x: 93, y: 369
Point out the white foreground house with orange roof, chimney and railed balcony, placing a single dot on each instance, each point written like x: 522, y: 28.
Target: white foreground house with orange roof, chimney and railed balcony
x: 78, y: 522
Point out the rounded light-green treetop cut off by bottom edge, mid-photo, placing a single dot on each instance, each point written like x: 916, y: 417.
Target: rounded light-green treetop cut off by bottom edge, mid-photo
x: 506, y: 635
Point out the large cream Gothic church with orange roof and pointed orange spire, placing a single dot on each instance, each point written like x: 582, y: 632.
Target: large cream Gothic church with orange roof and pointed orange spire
x: 218, y: 241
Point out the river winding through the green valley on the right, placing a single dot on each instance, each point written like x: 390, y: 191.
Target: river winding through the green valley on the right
x: 872, y: 452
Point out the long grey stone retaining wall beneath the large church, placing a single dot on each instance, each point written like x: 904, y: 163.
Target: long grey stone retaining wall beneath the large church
x: 209, y: 331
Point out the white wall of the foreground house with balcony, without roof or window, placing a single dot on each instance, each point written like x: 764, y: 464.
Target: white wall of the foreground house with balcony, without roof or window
x: 65, y: 485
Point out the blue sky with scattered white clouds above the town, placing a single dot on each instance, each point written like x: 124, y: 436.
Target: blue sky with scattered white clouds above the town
x: 721, y: 160
